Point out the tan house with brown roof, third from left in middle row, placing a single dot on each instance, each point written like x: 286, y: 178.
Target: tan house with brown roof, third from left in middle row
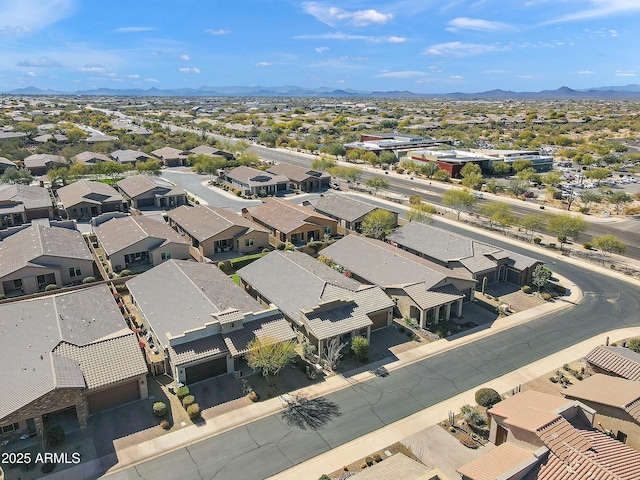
x: 213, y: 230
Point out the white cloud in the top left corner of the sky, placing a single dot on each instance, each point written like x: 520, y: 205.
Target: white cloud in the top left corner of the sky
x: 27, y: 16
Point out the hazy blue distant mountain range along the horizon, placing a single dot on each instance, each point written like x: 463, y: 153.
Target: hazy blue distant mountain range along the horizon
x: 613, y: 92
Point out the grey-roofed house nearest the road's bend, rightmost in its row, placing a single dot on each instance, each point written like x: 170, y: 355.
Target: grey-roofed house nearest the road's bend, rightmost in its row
x: 486, y: 263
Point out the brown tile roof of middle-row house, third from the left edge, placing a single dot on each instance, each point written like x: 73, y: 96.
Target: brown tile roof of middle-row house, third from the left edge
x: 203, y: 221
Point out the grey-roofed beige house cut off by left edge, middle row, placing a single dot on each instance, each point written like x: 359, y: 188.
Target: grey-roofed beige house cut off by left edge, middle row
x: 38, y: 256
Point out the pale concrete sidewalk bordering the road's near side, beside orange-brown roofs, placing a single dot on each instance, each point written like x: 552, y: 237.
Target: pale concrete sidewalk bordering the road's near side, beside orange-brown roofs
x: 398, y: 431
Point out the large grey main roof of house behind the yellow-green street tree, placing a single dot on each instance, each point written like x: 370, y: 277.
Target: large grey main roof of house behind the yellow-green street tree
x: 198, y: 291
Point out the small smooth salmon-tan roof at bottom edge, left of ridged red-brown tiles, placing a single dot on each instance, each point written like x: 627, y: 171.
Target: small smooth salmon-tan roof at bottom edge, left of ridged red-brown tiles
x: 498, y: 461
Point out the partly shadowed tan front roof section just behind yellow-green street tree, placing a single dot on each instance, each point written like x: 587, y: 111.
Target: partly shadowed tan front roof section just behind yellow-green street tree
x: 271, y: 326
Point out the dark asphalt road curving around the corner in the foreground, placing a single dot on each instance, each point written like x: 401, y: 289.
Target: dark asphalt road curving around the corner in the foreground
x: 268, y: 446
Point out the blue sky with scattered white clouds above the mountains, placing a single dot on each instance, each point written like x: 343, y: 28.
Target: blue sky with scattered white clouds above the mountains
x: 426, y: 46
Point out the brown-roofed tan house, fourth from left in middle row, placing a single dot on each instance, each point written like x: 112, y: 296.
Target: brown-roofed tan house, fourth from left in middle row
x: 289, y: 222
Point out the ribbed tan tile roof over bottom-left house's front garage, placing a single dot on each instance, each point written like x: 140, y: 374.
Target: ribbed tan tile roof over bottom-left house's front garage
x: 108, y: 361
